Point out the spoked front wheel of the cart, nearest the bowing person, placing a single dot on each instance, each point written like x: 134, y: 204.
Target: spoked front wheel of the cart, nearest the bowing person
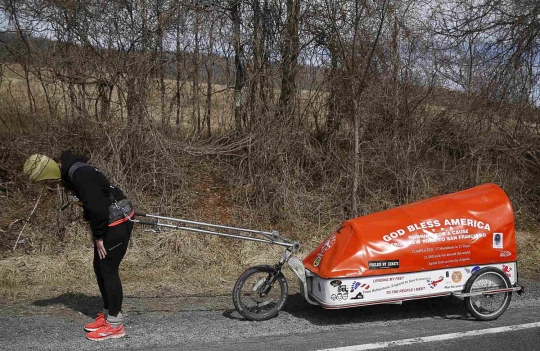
x: 260, y: 293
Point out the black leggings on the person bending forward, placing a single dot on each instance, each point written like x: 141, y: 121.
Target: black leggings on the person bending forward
x: 116, y: 243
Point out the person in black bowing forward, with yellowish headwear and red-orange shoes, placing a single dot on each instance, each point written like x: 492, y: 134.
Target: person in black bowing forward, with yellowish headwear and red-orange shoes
x: 107, y: 211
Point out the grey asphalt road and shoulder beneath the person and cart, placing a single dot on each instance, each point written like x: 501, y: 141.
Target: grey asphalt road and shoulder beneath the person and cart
x: 210, y: 323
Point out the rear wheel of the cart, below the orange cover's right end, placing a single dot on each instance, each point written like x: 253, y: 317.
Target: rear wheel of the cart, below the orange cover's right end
x: 492, y: 306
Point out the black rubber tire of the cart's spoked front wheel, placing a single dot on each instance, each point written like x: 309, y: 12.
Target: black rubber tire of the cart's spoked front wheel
x: 240, y: 283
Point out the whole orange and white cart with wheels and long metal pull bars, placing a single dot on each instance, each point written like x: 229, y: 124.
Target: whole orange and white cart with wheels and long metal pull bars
x: 460, y: 244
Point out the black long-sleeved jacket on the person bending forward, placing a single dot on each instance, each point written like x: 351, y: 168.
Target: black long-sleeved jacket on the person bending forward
x: 93, y: 190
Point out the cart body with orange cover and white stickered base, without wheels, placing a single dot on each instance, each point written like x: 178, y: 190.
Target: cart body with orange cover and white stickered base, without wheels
x: 425, y: 249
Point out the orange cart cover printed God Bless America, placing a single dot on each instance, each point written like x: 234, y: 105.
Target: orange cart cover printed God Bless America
x: 470, y: 227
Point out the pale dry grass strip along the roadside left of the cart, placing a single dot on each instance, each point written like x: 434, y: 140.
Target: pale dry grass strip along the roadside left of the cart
x: 171, y: 263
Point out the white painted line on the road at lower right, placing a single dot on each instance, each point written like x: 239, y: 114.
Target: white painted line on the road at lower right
x: 404, y: 342
